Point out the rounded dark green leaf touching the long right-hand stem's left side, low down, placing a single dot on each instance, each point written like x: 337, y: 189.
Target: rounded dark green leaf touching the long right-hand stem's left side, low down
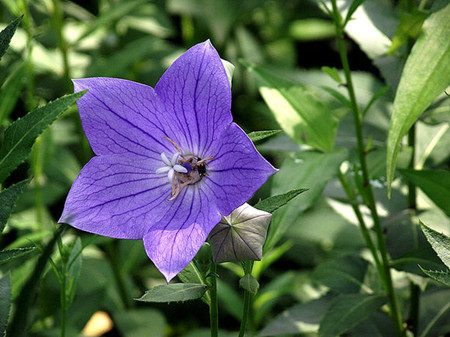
x: 343, y: 274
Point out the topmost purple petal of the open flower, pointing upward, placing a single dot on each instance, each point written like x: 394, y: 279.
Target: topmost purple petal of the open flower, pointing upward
x: 197, y: 94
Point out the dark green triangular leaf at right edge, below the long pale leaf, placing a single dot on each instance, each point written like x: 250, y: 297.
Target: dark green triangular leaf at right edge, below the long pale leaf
x: 434, y: 183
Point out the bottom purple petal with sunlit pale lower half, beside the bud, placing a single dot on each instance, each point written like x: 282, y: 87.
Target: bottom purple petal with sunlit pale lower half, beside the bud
x: 176, y: 239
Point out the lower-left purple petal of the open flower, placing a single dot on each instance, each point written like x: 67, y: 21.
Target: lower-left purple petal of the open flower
x: 117, y: 196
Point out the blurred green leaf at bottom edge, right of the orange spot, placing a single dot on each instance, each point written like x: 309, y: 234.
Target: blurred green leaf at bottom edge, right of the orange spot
x: 141, y: 322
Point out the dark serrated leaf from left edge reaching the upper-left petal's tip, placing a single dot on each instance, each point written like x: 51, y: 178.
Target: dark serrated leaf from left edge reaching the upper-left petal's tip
x: 20, y: 135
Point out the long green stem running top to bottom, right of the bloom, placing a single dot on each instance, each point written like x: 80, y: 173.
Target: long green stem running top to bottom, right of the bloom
x: 357, y: 120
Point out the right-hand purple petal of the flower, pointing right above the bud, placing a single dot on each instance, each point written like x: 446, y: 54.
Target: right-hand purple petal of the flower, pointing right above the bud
x: 237, y: 170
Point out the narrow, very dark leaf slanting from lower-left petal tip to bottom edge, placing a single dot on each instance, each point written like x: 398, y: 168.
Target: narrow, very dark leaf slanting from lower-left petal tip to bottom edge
x: 19, y: 319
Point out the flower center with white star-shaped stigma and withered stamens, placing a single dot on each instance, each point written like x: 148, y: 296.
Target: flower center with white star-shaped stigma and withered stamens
x: 182, y: 170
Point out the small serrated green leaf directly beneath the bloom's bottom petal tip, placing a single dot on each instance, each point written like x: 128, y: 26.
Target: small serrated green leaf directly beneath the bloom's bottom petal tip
x: 176, y: 292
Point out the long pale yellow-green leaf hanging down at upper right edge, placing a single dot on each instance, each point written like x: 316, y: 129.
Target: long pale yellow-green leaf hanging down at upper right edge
x: 426, y: 74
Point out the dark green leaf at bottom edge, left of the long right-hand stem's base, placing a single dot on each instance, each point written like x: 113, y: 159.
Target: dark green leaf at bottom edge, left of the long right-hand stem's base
x: 346, y: 311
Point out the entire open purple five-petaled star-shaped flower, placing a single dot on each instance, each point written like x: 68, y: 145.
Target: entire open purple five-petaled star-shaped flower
x: 169, y: 161
